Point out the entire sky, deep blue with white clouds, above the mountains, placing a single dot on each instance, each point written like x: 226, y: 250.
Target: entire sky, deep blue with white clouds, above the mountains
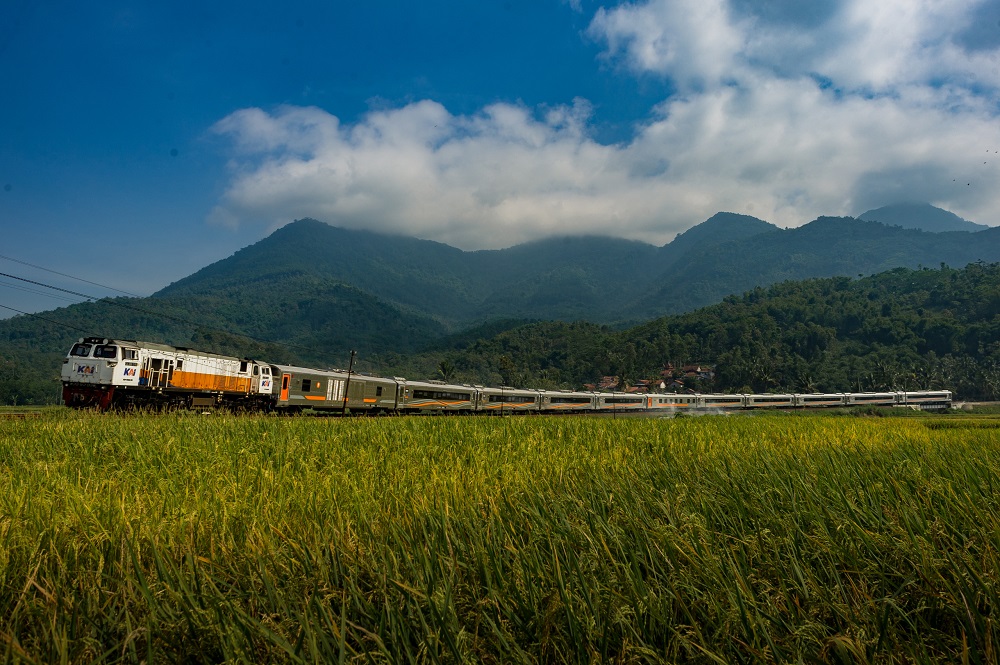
x: 143, y: 141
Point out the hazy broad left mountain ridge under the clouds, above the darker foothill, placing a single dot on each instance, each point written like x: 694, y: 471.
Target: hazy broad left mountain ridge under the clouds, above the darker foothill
x: 557, y: 278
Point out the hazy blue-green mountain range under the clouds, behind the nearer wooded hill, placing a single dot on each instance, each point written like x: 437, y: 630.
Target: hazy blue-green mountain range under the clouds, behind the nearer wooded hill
x: 309, y: 293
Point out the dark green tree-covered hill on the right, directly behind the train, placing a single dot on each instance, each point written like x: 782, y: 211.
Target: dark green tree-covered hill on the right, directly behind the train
x: 903, y: 329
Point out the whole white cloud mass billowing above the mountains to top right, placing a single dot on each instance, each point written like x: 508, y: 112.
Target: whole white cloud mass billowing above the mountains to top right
x: 860, y: 105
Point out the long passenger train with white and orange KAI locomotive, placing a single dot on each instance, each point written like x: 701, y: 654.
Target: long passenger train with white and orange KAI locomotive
x: 105, y: 373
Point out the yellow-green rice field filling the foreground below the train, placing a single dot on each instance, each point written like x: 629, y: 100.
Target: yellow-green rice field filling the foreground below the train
x: 185, y: 538
